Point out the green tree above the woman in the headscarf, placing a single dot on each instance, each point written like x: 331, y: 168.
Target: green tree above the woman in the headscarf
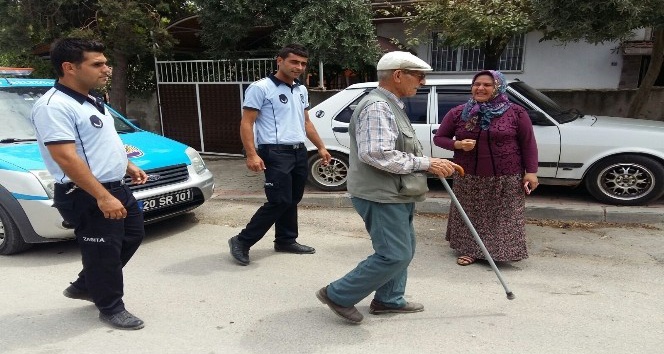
x: 488, y: 24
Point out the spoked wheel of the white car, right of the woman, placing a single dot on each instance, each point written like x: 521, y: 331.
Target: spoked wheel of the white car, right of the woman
x: 626, y: 180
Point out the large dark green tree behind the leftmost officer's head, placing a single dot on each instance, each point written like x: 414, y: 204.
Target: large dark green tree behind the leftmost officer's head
x: 131, y: 30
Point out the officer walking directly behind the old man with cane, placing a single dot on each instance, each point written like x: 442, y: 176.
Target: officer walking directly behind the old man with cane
x: 277, y: 109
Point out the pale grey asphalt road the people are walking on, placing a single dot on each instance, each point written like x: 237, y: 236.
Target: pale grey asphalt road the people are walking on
x: 585, y: 288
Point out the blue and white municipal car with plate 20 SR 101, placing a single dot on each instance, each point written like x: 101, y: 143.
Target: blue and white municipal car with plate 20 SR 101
x: 178, y: 180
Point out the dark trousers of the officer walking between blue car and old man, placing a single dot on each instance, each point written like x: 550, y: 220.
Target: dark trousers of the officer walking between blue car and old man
x: 285, y: 177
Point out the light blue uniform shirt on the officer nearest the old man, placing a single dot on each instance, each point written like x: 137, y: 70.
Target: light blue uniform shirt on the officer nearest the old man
x: 280, y: 110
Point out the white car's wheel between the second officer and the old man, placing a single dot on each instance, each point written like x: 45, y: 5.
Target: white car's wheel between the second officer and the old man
x: 331, y: 177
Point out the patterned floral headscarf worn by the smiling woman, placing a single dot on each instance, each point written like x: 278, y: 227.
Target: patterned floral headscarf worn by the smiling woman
x: 494, y: 107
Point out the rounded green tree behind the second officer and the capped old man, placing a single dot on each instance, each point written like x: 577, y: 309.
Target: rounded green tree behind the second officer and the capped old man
x: 338, y: 33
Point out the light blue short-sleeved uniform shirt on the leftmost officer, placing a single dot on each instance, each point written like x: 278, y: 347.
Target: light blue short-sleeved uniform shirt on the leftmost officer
x: 63, y: 115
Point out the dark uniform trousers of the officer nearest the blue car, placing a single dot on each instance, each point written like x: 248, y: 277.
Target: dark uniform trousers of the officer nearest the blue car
x: 106, y: 244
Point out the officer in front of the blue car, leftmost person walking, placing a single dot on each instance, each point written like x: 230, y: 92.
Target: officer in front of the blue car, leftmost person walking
x: 87, y: 159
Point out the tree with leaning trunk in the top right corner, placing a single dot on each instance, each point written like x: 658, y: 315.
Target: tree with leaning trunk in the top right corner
x: 597, y: 21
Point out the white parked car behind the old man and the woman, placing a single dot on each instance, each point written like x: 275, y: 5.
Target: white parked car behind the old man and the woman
x: 620, y: 160
